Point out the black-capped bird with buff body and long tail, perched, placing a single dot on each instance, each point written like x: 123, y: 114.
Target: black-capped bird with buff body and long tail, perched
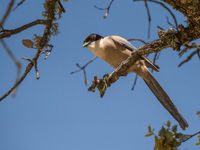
x: 114, y: 50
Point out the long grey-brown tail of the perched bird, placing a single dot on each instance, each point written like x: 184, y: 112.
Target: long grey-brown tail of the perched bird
x: 164, y: 99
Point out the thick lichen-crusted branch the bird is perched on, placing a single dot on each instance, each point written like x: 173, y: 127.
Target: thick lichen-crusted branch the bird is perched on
x: 170, y: 38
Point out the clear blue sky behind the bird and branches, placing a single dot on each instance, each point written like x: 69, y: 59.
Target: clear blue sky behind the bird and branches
x: 58, y: 113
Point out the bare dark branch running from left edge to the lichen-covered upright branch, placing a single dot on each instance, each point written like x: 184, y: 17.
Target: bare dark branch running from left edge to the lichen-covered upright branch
x: 8, y: 33
